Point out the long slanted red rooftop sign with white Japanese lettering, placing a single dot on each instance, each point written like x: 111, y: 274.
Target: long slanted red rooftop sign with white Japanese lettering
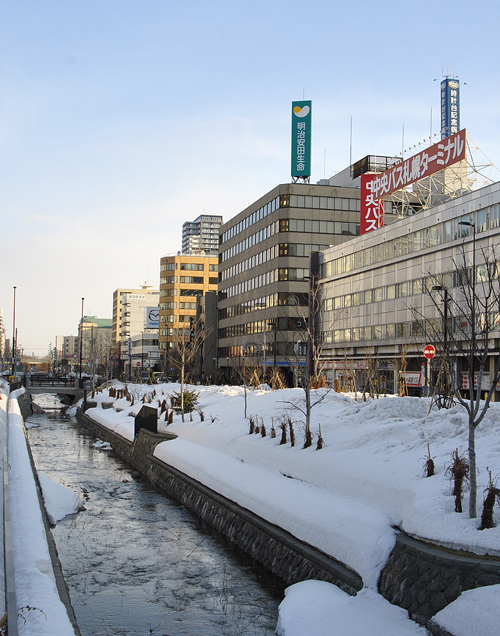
x: 439, y: 156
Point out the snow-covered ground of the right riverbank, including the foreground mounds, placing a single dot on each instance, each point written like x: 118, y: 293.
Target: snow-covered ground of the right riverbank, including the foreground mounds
x: 345, y: 498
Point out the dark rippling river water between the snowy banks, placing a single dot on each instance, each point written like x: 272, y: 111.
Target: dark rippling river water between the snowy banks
x: 135, y: 561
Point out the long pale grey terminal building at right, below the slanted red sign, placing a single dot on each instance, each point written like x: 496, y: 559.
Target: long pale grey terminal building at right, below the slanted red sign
x: 382, y: 293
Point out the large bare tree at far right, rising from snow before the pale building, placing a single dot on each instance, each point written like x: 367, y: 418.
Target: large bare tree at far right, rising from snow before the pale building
x: 469, y: 320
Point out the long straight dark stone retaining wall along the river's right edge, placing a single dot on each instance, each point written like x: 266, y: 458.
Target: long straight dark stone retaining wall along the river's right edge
x: 277, y: 550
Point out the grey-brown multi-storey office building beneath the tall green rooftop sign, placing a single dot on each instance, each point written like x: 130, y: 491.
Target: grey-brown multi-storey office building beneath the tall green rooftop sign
x: 264, y: 268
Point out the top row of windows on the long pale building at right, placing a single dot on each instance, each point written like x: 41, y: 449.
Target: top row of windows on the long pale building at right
x: 438, y: 234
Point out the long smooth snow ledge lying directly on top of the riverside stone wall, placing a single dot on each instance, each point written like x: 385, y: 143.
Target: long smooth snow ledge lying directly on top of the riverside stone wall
x: 353, y: 533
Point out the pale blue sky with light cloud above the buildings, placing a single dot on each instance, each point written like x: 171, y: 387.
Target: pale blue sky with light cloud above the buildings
x: 120, y: 120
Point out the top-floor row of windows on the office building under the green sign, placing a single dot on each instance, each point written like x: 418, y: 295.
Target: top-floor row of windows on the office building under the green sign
x: 293, y: 201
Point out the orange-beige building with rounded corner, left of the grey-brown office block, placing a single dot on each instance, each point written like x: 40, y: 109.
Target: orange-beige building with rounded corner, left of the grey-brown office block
x: 183, y: 279
